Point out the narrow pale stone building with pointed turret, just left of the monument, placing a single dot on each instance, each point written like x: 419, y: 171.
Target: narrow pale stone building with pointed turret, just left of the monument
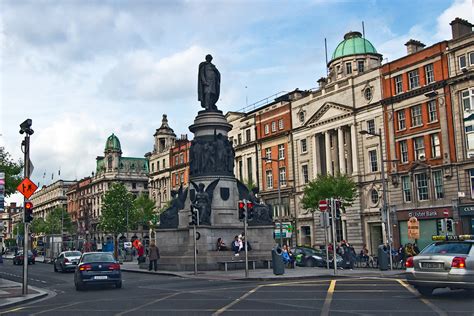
x: 159, y: 162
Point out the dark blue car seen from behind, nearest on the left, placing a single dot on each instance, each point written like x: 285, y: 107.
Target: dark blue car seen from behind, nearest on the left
x: 97, y: 268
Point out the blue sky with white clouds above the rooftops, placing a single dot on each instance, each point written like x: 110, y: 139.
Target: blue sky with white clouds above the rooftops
x: 84, y: 69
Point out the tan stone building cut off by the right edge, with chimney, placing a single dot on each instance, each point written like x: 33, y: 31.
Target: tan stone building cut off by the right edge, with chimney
x: 460, y: 55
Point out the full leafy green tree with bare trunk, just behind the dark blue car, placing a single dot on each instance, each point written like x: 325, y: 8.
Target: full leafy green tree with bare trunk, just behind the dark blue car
x: 117, y: 206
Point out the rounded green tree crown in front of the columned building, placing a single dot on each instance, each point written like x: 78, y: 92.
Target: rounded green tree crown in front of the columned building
x: 328, y: 186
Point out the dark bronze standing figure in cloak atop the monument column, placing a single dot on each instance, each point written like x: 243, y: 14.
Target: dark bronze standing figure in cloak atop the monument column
x: 209, y: 83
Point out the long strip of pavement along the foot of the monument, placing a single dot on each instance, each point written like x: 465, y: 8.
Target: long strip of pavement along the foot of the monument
x: 267, y: 274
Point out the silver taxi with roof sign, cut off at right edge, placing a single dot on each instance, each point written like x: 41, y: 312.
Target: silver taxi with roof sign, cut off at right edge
x: 446, y: 263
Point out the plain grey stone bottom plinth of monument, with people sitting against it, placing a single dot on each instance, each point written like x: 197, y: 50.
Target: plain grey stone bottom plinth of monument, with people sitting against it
x: 178, y: 245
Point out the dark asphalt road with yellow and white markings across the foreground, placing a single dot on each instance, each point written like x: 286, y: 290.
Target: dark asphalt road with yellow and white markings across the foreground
x: 145, y: 294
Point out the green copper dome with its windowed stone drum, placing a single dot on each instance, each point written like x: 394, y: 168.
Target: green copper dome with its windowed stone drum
x: 353, y: 56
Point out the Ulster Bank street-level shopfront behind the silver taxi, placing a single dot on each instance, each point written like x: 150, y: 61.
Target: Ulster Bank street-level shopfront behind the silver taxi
x: 429, y: 222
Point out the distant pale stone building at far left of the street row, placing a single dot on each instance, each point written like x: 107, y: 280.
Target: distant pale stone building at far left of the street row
x: 50, y: 197
